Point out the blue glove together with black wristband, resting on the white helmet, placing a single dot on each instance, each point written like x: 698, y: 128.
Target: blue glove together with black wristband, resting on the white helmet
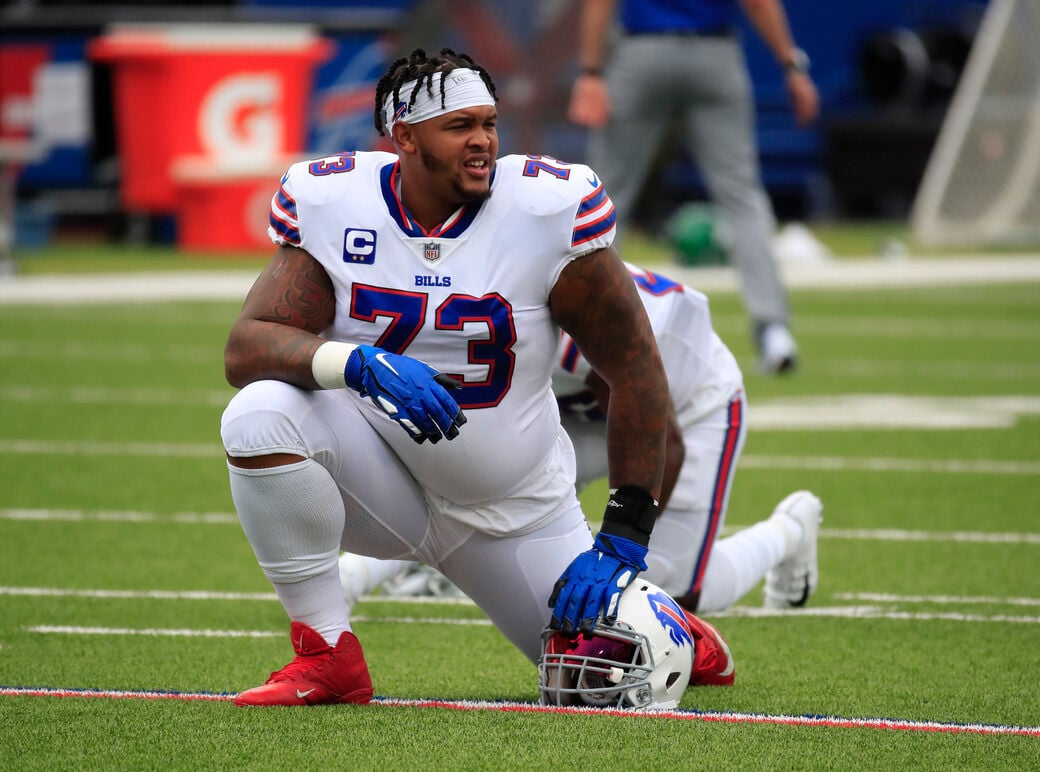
x: 590, y: 588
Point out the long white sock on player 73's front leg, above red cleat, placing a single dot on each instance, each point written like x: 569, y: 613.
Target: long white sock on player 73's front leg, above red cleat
x: 294, y: 518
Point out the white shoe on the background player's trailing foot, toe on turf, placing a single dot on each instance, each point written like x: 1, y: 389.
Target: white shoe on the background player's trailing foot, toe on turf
x: 794, y: 581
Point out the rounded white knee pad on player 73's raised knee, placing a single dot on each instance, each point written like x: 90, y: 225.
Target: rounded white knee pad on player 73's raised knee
x: 267, y: 418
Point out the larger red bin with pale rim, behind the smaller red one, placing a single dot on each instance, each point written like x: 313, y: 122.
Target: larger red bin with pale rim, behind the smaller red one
x: 237, y: 95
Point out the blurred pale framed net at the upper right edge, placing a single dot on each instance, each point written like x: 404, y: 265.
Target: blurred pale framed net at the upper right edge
x: 982, y: 184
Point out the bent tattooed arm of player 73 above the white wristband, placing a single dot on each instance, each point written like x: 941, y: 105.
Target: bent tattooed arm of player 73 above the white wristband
x: 277, y: 331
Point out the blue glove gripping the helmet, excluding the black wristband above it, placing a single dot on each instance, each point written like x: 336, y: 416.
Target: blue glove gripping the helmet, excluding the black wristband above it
x: 591, y: 586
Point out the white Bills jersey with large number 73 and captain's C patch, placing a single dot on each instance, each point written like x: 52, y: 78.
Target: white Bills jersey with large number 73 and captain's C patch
x: 471, y: 299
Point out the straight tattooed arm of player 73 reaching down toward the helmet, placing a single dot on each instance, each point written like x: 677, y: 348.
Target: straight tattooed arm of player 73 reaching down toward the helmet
x: 596, y: 302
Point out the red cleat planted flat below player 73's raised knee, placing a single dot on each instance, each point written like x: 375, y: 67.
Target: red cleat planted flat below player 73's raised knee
x: 319, y: 676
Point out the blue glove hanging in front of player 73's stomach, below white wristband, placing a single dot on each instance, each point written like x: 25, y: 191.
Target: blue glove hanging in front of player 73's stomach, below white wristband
x: 408, y: 391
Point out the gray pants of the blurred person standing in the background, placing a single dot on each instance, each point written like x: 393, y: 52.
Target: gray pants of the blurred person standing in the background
x: 704, y: 83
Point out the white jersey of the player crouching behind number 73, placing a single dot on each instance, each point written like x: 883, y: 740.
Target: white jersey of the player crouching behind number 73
x: 703, y: 373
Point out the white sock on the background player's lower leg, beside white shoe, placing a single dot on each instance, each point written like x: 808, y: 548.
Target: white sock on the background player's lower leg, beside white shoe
x: 740, y: 562
